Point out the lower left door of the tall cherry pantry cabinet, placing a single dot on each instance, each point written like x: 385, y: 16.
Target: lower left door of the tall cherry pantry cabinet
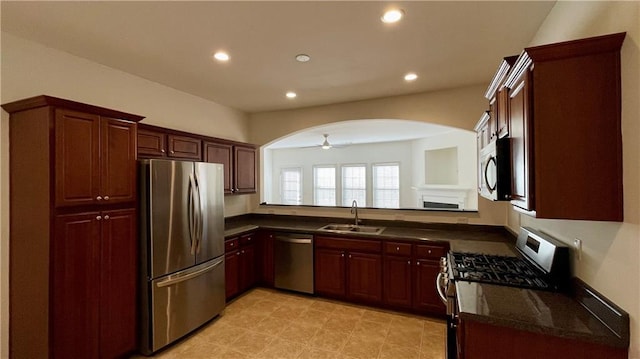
x: 75, y: 271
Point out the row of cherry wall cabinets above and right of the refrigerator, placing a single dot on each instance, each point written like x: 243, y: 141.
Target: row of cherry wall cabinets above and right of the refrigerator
x: 239, y: 159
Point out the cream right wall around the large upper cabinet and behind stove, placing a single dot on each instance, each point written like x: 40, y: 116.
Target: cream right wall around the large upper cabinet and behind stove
x: 611, y: 254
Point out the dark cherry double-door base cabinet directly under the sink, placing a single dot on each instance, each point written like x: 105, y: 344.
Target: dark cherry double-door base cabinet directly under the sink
x: 348, y: 269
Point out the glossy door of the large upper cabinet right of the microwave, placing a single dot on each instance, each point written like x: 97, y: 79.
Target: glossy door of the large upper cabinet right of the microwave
x: 520, y: 128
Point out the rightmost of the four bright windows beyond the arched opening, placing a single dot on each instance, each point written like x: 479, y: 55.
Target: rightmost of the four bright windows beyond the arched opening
x: 386, y: 185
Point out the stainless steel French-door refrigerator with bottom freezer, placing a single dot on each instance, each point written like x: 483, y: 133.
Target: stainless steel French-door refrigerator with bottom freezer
x: 182, y: 249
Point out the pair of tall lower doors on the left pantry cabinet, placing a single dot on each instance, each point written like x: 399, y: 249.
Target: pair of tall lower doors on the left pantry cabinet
x: 94, y: 284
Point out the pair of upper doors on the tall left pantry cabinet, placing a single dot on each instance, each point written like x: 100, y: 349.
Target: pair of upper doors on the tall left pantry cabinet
x: 94, y: 159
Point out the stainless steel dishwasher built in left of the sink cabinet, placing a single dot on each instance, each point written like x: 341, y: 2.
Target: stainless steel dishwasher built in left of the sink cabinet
x: 293, y: 257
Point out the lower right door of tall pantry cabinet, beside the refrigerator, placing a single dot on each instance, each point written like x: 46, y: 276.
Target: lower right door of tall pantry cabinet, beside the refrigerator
x: 118, y: 278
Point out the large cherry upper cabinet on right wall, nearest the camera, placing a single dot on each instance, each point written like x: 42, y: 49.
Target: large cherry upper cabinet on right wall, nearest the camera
x: 564, y: 109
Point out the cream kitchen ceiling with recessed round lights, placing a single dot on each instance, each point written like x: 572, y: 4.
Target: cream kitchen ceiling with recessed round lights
x: 354, y: 55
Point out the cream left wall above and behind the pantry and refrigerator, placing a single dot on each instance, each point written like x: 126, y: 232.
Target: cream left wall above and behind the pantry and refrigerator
x: 29, y: 69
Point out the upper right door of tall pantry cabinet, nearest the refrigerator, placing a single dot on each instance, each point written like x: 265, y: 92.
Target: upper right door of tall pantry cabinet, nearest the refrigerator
x: 118, y: 163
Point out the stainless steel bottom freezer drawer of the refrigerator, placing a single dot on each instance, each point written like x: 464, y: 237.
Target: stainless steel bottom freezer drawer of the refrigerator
x: 183, y: 301
